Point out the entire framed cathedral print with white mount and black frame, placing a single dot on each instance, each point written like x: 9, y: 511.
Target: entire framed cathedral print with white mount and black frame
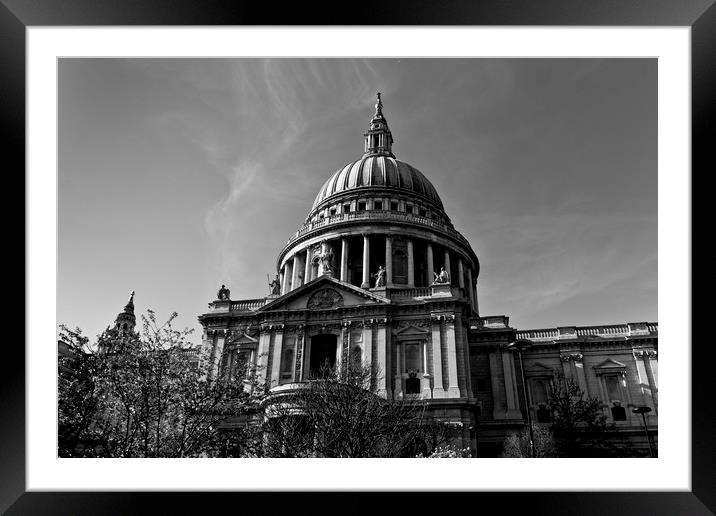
x: 482, y: 208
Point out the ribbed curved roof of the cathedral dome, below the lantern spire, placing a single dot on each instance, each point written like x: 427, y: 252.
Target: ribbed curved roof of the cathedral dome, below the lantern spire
x: 382, y: 171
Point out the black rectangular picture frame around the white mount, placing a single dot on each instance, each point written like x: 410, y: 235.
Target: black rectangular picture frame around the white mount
x: 700, y: 15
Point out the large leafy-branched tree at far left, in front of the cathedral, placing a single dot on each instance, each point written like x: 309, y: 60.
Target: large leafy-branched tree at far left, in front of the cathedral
x: 144, y: 395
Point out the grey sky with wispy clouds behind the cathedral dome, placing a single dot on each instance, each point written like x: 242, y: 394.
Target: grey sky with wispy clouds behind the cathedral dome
x: 178, y: 175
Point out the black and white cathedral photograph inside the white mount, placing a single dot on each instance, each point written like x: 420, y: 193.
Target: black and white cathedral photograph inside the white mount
x: 357, y: 258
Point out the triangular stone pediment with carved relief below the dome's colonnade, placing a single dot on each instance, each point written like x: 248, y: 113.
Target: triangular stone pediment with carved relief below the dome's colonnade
x: 324, y: 293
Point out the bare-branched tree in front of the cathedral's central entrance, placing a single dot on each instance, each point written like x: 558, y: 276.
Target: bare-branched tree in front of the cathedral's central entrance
x: 334, y: 415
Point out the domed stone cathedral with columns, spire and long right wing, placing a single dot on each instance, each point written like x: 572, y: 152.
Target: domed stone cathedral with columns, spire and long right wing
x: 378, y: 275
